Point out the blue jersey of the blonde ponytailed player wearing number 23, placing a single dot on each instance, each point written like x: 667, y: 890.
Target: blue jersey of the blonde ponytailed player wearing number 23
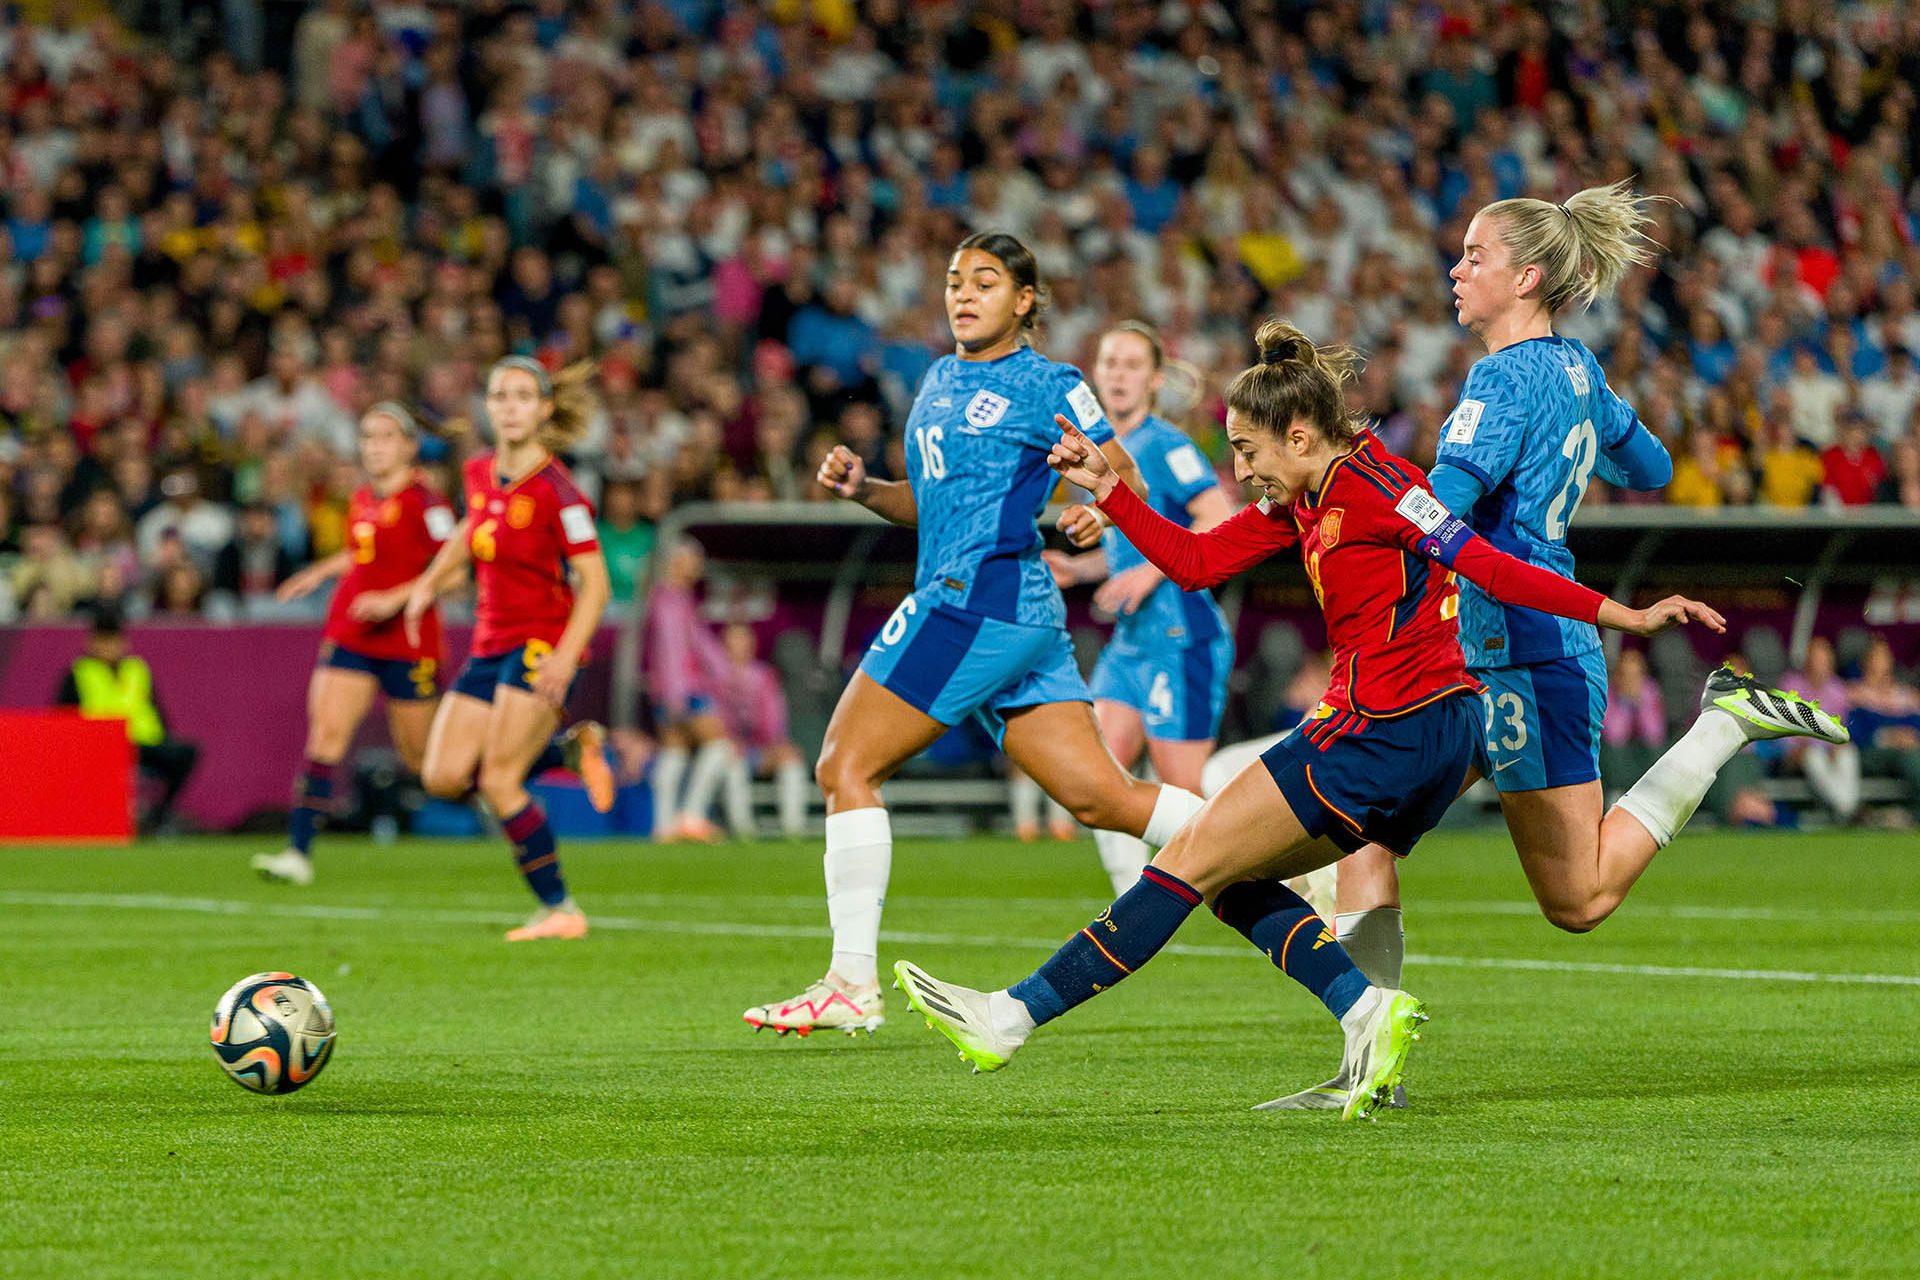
x: 1531, y: 427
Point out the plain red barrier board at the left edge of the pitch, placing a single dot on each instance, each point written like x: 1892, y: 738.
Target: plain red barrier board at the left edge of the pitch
x: 64, y: 778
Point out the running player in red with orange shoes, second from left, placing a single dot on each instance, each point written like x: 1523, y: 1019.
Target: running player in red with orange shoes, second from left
x: 542, y: 590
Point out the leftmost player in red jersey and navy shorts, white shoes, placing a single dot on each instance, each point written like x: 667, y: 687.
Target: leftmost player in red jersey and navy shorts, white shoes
x: 395, y: 527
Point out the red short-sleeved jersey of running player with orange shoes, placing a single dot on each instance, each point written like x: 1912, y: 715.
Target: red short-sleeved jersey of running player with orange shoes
x: 521, y: 536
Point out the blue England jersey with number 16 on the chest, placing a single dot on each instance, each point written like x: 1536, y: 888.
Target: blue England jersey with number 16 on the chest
x: 976, y: 456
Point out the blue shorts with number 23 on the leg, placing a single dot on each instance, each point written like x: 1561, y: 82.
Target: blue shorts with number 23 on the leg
x: 1543, y: 723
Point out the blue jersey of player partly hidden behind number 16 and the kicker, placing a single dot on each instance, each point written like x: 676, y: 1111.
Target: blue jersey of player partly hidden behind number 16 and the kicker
x: 1176, y: 475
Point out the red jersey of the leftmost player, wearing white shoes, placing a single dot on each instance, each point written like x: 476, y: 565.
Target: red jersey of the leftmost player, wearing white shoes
x: 391, y: 542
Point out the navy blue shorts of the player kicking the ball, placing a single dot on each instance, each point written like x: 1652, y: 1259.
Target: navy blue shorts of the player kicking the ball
x: 1378, y: 782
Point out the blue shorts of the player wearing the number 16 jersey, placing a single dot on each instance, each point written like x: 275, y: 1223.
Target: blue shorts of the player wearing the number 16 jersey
x: 953, y: 665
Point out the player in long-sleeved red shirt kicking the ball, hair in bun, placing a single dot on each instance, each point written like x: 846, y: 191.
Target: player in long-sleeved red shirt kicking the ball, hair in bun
x: 1385, y: 751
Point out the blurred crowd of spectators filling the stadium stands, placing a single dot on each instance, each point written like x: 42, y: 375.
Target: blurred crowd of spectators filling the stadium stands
x: 233, y: 227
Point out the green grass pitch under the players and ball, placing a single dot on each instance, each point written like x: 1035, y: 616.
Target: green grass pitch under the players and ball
x: 560, y: 1110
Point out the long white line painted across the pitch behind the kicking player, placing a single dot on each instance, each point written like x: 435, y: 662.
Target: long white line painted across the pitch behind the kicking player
x: 435, y: 916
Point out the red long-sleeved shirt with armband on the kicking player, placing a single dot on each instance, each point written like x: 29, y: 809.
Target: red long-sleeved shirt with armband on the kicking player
x: 1381, y: 554
